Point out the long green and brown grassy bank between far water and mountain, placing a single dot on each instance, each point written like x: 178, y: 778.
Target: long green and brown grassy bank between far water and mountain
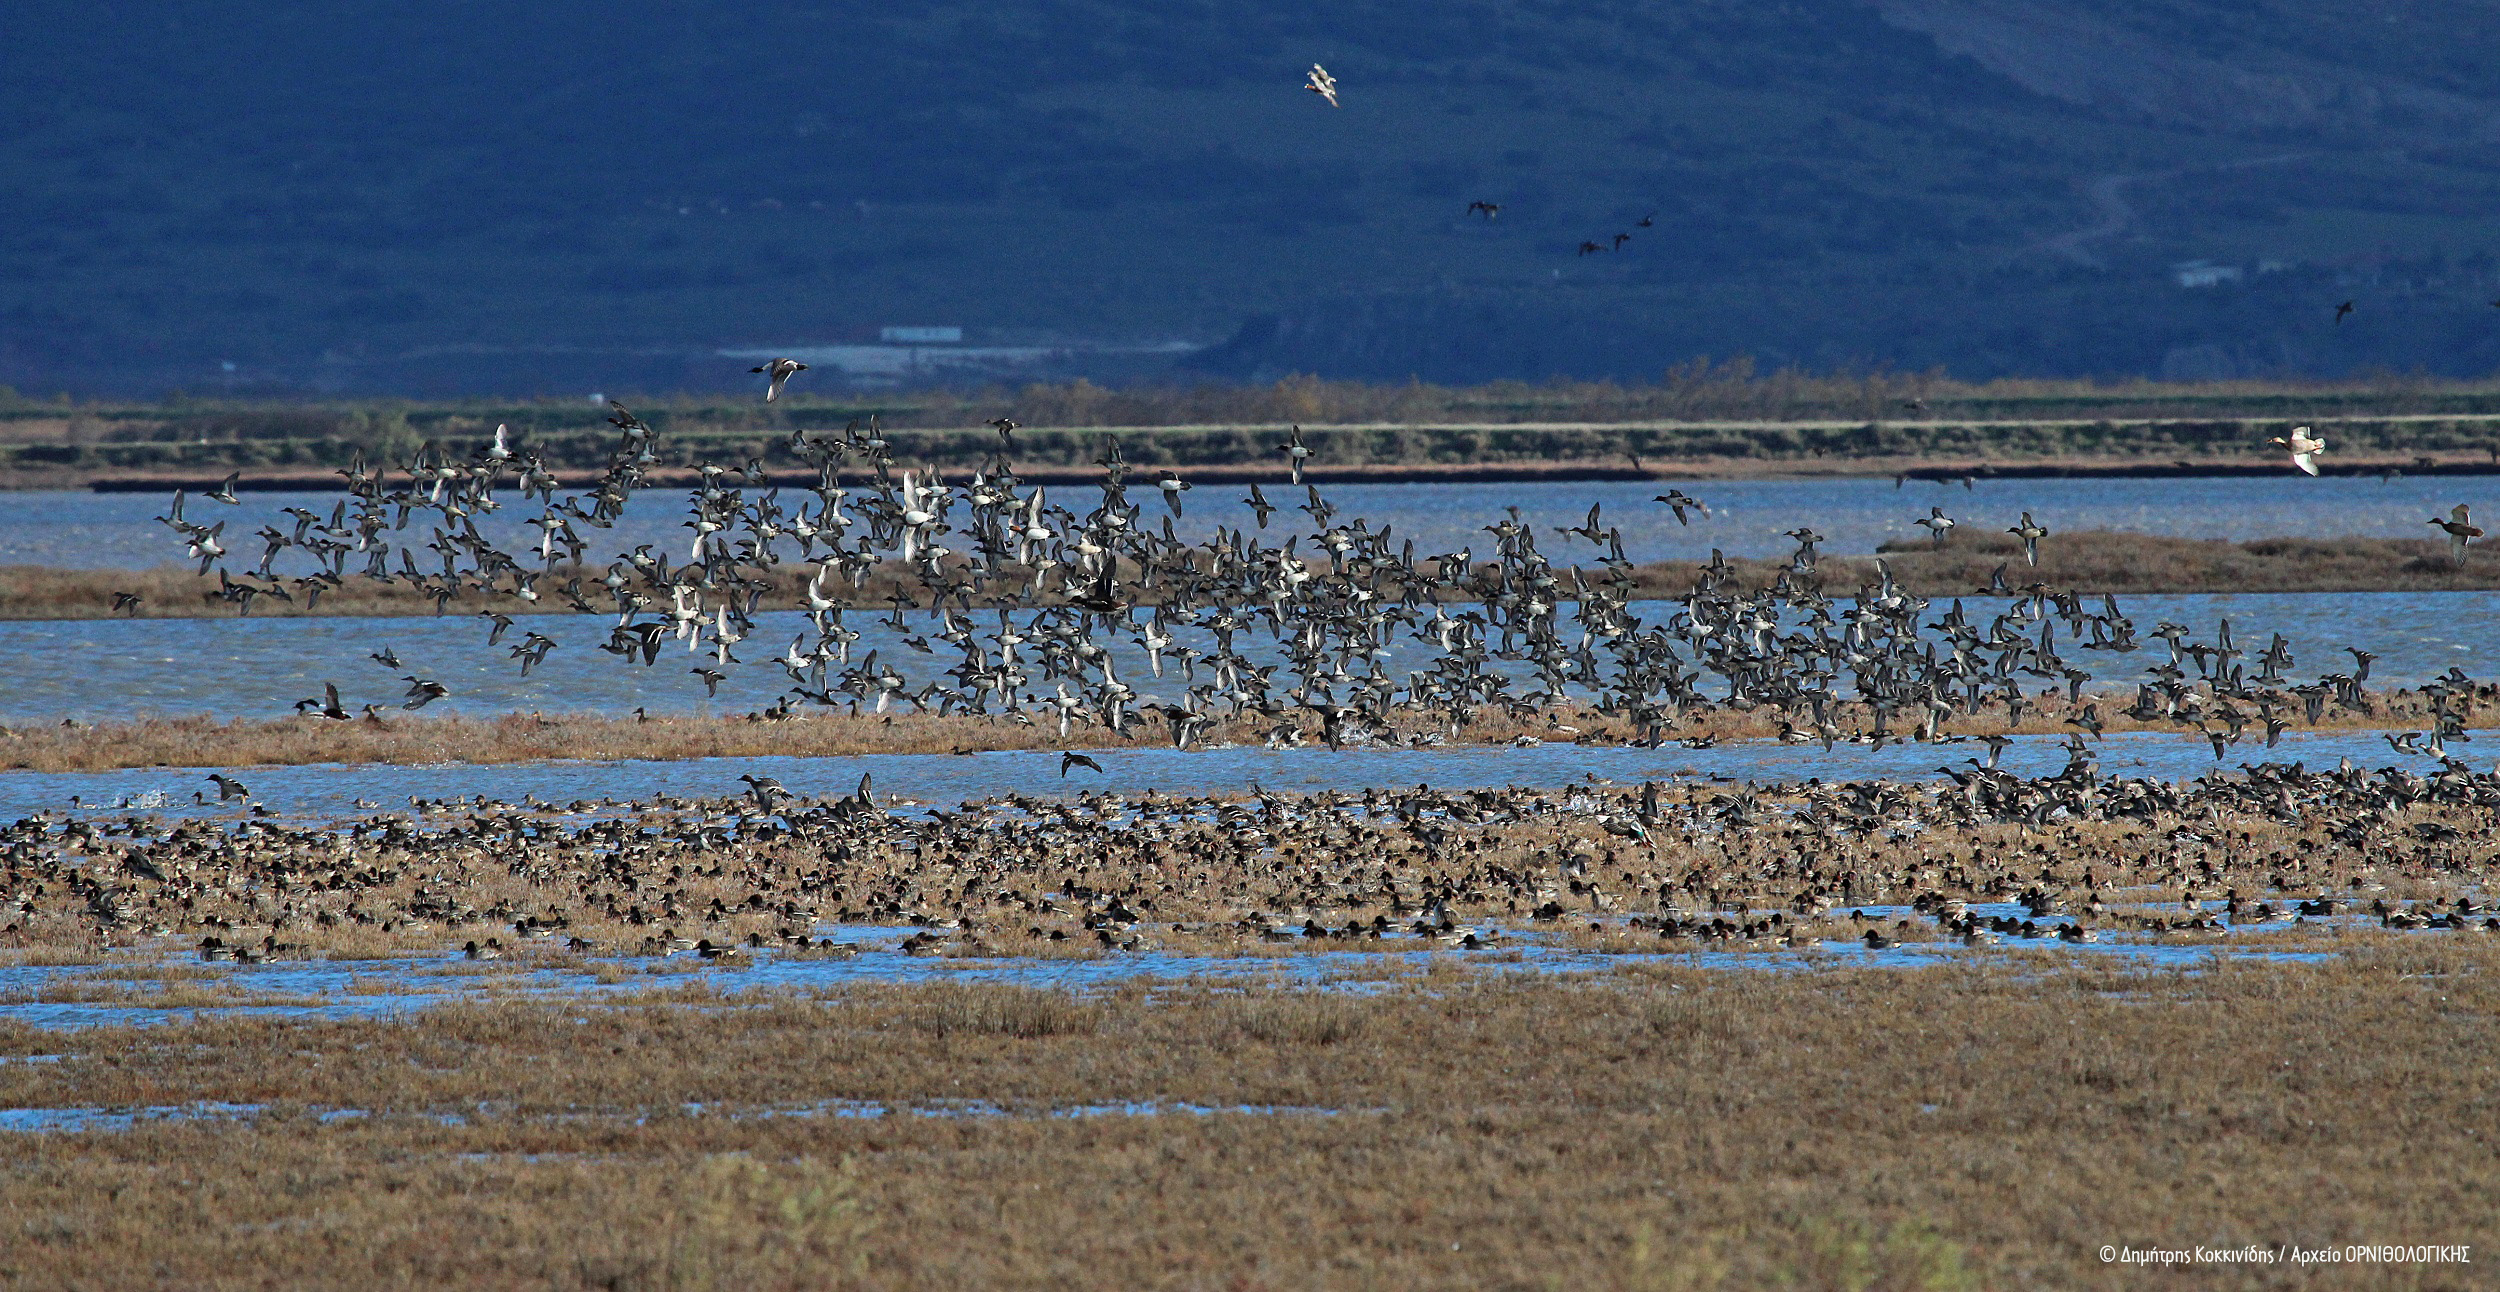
x: 1699, y: 421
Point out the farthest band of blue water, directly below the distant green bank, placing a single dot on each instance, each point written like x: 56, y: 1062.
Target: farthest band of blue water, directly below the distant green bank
x: 1749, y: 516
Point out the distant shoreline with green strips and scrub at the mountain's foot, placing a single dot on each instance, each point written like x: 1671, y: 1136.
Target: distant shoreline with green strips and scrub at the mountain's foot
x: 309, y: 449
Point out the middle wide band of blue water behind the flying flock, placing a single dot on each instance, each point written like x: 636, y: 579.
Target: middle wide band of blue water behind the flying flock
x: 261, y: 668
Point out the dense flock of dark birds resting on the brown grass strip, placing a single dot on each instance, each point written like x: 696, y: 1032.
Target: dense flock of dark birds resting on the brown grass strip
x: 1981, y: 858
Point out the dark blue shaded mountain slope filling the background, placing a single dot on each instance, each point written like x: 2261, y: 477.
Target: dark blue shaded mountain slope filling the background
x: 566, y: 196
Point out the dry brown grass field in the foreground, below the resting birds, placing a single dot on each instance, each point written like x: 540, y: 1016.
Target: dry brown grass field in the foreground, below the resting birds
x: 1659, y: 1128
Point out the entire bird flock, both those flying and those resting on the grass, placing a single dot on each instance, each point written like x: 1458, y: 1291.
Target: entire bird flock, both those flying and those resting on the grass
x: 1059, y: 611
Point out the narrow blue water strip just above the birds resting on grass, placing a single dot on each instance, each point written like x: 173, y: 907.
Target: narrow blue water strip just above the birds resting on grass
x: 349, y: 791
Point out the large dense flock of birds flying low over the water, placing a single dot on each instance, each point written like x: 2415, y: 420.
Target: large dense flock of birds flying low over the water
x: 1059, y: 611
